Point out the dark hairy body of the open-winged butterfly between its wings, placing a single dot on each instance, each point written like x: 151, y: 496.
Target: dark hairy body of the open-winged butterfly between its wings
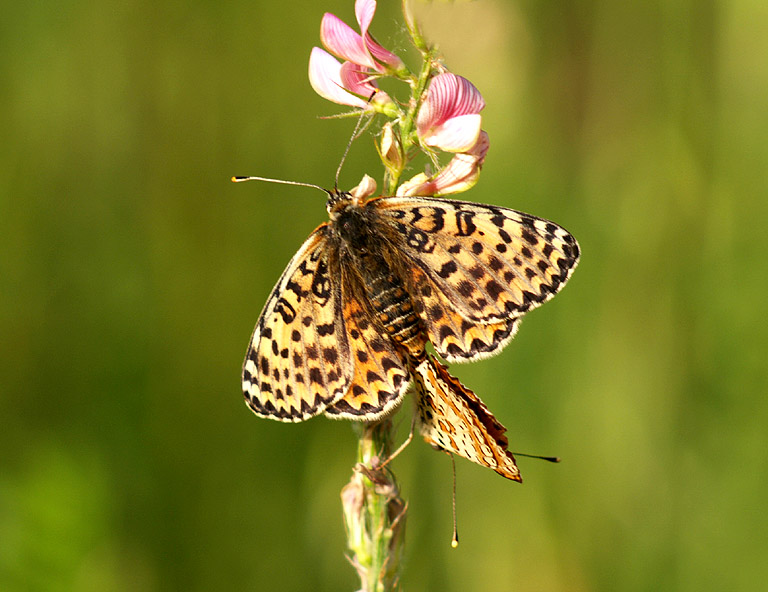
x: 389, y: 299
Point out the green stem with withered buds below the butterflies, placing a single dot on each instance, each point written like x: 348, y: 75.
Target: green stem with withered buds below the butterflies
x: 374, y: 513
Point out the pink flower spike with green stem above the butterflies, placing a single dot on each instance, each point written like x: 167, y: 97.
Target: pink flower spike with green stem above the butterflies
x: 441, y: 115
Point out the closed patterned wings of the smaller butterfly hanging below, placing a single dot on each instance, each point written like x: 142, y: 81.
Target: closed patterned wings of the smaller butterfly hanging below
x: 454, y: 419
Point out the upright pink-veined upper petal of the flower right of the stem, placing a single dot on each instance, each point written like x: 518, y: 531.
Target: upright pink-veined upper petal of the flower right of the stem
x: 448, y: 96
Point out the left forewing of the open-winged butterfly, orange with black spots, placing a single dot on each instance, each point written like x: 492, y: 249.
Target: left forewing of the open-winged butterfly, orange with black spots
x: 298, y: 361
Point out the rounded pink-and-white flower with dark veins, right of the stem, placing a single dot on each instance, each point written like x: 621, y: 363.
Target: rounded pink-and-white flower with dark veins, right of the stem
x: 449, y: 117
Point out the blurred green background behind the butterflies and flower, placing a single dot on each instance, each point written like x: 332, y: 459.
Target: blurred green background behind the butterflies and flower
x: 132, y: 272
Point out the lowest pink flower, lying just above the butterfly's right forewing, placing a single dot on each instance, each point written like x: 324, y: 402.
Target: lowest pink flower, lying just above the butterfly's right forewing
x: 458, y: 175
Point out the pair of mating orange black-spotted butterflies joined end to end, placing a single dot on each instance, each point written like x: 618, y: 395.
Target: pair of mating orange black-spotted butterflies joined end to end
x: 345, y: 329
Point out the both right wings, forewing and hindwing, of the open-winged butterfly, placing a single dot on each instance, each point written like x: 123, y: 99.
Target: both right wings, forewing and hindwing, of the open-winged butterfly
x: 488, y: 265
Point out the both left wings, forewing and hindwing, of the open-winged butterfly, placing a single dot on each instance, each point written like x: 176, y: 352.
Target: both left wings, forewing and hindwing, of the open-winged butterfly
x: 316, y: 347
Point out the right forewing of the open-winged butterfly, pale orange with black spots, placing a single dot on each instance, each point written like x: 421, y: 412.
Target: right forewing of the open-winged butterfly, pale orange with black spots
x: 491, y: 263
